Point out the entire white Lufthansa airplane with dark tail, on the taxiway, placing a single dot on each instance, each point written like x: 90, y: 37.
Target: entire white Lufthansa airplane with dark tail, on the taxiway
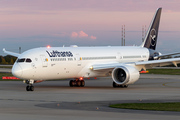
x: 123, y: 63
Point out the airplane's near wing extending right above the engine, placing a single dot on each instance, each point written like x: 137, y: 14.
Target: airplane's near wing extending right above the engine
x: 143, y: 64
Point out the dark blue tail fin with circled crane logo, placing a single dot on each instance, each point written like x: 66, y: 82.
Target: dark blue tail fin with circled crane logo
x: 152, y: 33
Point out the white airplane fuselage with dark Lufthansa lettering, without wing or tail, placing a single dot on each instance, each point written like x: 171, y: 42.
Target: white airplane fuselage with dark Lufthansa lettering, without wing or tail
x: 73, y: 62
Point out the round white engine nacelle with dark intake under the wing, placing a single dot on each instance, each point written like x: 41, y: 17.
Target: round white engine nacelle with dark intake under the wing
x: 124, y: 75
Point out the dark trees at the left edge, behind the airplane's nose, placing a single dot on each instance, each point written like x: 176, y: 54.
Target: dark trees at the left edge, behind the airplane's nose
x: 8, y: 59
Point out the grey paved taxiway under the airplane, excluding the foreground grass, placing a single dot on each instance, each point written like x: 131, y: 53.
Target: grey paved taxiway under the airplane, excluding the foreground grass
x: 56, y: 100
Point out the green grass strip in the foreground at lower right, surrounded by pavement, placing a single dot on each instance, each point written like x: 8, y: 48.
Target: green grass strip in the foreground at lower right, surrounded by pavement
x: 174, y: 106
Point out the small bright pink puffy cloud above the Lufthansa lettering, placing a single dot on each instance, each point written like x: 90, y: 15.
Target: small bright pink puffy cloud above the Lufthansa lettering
x: 82, y: 34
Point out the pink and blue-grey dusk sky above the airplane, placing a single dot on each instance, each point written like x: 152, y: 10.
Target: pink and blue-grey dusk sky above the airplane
x: 38, y: 23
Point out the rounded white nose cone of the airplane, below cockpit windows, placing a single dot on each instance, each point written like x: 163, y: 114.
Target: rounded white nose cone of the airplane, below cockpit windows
x: 17, y: 71
